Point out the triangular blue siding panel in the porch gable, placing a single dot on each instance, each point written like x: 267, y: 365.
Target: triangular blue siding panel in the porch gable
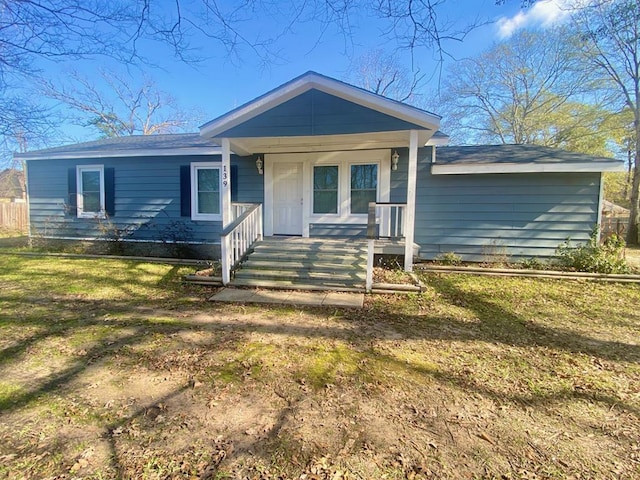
x: 317, y: 113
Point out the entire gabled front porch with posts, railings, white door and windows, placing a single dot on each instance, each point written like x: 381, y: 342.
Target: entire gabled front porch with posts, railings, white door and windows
x: 324, y: 152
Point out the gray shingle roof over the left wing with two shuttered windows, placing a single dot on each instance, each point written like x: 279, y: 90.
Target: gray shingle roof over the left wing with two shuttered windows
x: 136, y: 145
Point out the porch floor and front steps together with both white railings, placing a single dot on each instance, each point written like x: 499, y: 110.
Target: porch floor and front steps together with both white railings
x: 341, y: 263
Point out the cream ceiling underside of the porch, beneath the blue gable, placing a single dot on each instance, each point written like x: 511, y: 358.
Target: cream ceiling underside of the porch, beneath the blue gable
x: 325, y: 143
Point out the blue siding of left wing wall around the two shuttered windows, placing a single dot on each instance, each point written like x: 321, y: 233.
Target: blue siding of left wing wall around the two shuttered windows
x: 147, y: 198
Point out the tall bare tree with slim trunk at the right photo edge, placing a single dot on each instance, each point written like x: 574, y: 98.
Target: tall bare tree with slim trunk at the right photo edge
x: 611, y: 43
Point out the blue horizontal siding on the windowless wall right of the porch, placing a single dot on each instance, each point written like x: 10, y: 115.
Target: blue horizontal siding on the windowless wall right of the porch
x: 518, y: 215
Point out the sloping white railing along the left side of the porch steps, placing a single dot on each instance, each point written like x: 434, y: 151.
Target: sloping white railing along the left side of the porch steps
x: 239, y: 236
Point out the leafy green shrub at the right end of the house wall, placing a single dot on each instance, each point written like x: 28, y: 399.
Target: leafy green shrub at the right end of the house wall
x: 607, y: 257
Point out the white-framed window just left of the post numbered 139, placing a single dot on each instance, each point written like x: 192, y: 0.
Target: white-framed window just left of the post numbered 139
x: 205, y: 191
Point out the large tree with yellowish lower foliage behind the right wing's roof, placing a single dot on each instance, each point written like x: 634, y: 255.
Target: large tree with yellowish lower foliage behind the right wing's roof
x: 527, y: 89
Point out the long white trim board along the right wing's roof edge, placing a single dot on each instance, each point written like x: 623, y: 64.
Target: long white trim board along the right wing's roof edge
x: 463, y: 169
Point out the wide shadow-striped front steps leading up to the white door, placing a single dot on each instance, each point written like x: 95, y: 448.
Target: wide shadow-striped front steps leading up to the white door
x: 295, y: 263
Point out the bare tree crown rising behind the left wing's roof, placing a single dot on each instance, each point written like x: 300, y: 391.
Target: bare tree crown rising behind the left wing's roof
x: 123, y: 108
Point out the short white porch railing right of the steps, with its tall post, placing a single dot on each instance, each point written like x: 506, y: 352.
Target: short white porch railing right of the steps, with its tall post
x: 386, y: 220
